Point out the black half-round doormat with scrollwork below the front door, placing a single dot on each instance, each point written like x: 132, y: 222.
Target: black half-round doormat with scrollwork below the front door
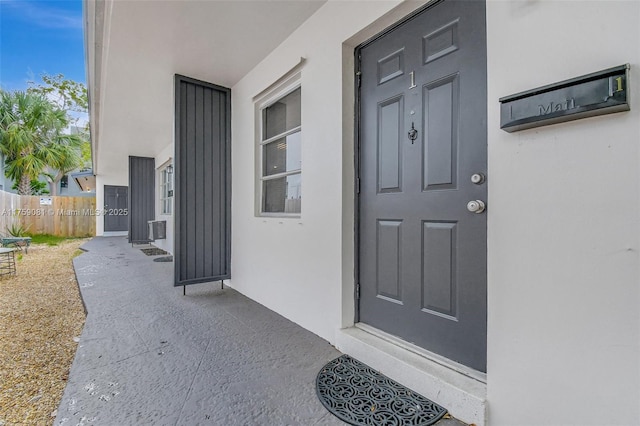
x: 359, y: 395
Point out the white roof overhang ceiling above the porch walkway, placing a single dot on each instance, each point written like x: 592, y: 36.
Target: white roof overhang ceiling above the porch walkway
x: 134, y: 48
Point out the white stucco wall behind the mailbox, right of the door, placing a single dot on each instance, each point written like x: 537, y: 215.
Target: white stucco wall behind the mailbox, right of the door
x: 563, y: 224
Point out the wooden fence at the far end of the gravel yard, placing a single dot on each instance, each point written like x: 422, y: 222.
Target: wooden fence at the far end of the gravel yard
x: 61, y: 216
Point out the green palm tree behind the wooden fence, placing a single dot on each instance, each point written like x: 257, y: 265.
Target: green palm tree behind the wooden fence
x: 32, y: 138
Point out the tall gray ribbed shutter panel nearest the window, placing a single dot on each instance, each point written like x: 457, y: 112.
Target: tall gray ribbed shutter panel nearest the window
x: 202, y: 182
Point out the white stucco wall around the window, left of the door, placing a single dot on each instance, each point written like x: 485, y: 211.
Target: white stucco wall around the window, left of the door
x: 295, y: 265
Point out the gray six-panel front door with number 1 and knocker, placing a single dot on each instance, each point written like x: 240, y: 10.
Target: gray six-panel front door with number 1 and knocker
x: 422, y: 136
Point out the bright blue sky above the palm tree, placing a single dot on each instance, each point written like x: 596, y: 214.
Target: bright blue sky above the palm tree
x: 37, y: 37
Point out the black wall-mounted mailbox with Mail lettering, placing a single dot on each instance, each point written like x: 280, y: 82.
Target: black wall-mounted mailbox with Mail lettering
x: 602, y: 92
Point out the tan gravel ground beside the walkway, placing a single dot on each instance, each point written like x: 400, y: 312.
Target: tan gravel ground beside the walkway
x: 40, y: 315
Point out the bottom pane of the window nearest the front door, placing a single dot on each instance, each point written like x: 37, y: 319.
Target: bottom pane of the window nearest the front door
x: 282, y: 195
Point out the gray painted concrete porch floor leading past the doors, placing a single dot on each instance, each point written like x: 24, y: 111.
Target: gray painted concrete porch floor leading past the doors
x: 149, y: 355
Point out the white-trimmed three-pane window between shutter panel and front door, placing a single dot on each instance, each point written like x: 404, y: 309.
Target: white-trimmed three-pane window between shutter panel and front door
x: 281, y: 155
